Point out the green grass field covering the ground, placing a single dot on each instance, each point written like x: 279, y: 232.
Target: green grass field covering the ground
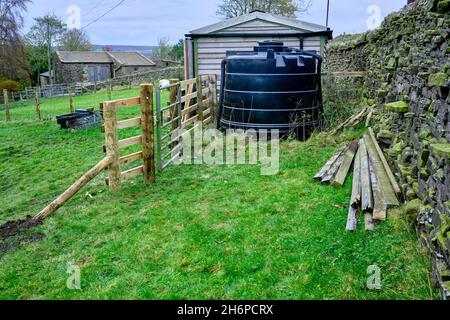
x: 200, y: 232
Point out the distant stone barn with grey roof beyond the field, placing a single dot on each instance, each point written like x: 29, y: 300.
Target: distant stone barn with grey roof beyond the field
x: 88, y: 66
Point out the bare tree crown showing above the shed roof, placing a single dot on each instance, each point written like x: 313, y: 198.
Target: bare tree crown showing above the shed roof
x: 289, y: 8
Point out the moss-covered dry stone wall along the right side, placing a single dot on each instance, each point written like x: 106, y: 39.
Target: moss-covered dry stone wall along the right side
x: 407, y: 68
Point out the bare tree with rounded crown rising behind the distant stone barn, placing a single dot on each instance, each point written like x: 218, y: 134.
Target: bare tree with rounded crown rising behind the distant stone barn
x: 47, y: 30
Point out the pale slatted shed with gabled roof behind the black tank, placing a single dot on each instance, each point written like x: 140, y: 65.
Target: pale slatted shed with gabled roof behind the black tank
x: 205, y: 48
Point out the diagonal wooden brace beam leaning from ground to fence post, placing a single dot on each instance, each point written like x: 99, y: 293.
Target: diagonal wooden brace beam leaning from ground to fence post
x: 69, y: 193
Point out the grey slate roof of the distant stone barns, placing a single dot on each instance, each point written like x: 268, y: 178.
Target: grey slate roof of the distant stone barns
x: 134, y: 59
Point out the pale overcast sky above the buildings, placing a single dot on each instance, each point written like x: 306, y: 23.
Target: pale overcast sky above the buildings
x: 143, y: 22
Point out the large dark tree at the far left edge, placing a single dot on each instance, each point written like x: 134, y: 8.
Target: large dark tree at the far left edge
x: 13, y: 64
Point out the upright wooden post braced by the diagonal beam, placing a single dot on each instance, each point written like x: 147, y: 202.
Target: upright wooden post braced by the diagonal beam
x: 112, y: 146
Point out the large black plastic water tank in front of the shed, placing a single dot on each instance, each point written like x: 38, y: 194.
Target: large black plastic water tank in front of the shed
x: 273, y: 87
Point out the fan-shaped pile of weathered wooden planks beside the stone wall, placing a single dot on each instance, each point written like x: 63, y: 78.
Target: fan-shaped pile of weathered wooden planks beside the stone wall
x: 375, y: 188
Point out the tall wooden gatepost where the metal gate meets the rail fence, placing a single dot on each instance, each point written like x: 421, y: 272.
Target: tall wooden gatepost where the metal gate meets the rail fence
x: 148, y: 138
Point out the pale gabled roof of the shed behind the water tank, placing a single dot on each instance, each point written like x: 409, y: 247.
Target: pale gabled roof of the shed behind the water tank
x: 259, y: 15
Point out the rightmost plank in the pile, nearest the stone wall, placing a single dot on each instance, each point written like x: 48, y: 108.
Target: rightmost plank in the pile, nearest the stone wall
x: 383, y: 179
